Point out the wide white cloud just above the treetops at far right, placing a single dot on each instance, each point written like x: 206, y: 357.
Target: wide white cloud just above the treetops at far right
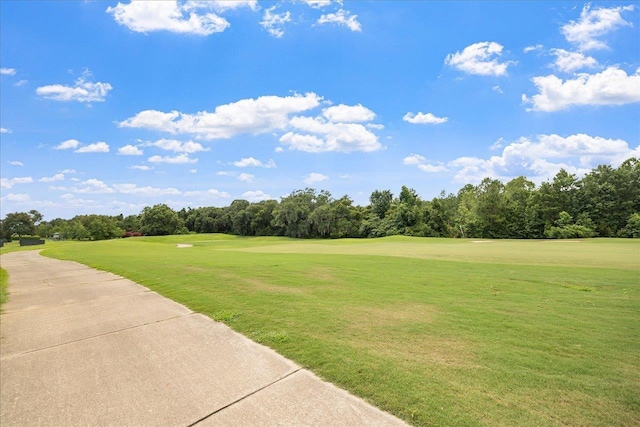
x: 541, y: 158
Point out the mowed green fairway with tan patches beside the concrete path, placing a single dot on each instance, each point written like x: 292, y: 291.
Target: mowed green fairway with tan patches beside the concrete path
x: 435, y: 331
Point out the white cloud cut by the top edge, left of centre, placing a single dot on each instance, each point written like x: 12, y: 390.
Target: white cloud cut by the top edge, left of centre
x: 168, y: 15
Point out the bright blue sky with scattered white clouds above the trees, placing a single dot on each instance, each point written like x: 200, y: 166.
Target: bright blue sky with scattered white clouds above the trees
x: 108, y: 107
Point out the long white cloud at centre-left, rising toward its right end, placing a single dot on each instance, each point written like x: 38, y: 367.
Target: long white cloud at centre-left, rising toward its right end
x: 254, y: 116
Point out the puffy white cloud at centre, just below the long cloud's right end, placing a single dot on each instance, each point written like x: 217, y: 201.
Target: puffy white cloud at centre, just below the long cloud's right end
x: 341, y: 137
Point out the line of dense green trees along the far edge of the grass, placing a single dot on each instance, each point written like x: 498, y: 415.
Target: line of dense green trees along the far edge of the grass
x: 603, y: 203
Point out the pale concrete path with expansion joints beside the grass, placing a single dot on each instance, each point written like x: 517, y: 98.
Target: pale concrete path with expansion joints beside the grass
x: 82, y: 347
